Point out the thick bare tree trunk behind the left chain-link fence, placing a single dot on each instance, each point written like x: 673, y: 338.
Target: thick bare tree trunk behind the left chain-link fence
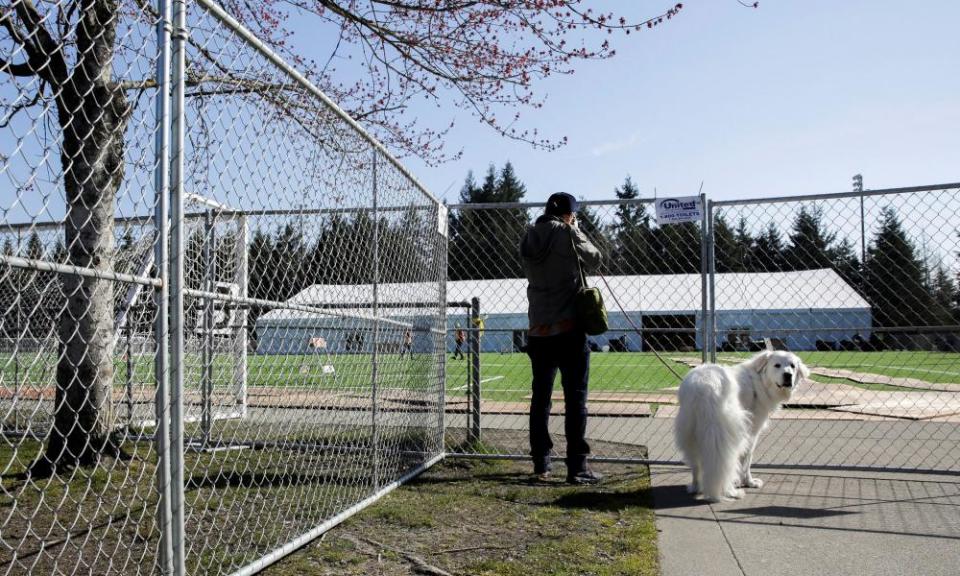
x: 93, y: 113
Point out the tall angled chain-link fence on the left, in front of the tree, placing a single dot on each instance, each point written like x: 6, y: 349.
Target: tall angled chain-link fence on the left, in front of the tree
x: 221, y: 302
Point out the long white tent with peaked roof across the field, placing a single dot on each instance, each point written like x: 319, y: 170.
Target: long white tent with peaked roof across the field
x: 798, y: 307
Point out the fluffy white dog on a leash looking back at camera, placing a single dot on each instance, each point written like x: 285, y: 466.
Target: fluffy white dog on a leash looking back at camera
x: 723, y: 409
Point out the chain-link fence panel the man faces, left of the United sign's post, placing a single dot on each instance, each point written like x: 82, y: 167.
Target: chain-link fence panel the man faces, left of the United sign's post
x: 654, y: 273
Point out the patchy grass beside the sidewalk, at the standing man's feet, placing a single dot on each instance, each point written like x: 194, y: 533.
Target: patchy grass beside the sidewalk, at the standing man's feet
x: 483, y: 518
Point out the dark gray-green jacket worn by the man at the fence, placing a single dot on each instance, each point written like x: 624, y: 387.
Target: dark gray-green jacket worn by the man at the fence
x: 551, y: 268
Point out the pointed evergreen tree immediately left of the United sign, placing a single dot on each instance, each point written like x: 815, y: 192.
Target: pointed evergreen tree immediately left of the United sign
x: 632, y: 251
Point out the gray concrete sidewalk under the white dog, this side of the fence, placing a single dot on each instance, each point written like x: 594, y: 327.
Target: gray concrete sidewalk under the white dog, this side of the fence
x: 810, y: 523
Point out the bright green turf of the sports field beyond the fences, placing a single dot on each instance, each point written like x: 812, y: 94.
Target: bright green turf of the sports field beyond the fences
x: 505, y: 377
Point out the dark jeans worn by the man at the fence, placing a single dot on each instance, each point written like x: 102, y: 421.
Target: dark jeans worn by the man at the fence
x: 569, y: 354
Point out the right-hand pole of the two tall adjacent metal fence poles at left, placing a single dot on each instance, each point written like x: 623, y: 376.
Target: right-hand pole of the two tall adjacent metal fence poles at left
x: 177, y: 285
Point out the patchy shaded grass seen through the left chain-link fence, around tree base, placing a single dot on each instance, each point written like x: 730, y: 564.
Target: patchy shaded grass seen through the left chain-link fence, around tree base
x: 240, y: 503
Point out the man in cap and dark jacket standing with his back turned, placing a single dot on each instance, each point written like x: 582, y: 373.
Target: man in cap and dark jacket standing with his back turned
x: 550, y: 250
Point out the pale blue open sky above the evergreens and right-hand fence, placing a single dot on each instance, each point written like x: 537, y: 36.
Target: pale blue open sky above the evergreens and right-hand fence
x: 791, y: 98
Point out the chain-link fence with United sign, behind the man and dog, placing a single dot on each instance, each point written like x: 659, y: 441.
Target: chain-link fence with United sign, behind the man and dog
x: 864, y: 287
